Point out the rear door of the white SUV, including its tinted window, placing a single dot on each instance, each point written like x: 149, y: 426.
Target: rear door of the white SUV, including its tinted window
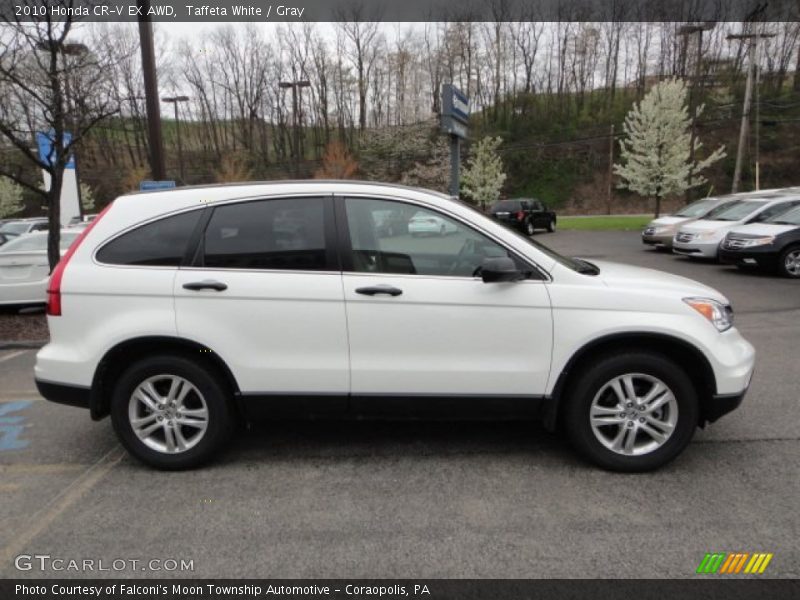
x: 279, y: 322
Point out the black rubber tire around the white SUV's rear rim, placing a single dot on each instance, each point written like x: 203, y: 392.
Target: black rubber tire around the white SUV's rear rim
x: 220, y: 420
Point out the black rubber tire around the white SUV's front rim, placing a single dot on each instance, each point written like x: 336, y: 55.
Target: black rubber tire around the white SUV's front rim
x: 591, y: 381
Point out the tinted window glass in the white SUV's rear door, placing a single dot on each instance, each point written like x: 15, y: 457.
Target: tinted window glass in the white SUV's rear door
x: 282, y: 234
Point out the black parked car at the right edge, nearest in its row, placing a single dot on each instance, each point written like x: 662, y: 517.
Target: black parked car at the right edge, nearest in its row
x: 771, y: 245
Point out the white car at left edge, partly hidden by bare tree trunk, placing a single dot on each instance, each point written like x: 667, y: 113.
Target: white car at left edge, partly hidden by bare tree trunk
x: 24, y: 269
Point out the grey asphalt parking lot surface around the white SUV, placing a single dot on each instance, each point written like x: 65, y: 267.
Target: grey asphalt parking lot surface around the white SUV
x: 499, y: 500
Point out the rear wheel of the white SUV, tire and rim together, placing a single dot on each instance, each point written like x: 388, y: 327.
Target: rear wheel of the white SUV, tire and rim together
x: 170, y: 412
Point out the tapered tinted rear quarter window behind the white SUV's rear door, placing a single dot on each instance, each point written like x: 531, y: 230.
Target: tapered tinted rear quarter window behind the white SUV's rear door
x: 161, y: 243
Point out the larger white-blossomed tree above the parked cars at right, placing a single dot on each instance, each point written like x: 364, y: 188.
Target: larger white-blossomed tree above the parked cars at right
x: 656, y: 152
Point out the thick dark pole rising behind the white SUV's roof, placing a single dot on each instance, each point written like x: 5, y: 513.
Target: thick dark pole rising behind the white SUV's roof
x: 151, y: 92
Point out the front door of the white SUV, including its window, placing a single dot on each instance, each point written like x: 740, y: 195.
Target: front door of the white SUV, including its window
x: 447, y: 332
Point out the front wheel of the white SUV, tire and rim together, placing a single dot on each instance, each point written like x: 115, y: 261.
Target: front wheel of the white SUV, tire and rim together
x: 631, y: 412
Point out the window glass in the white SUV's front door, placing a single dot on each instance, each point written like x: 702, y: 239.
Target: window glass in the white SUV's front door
x: 426, y: 243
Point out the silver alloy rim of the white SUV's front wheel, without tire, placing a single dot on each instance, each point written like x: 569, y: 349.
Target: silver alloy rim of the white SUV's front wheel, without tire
x: 633, y: 414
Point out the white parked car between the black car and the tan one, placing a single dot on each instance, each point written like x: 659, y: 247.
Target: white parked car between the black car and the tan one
x: 702, y: 238
